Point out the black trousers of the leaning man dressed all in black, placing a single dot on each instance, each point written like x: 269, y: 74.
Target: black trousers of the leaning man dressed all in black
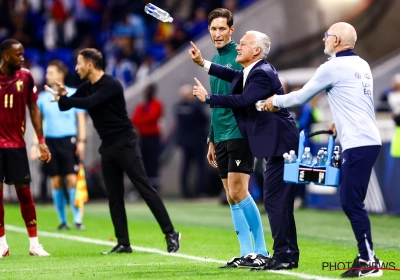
x: 117, y: 158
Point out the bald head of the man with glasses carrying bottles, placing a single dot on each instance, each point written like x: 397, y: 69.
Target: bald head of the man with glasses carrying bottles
x: 342, y: 36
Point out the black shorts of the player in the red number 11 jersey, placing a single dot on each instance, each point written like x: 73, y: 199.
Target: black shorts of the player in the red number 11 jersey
x: 14, y: 166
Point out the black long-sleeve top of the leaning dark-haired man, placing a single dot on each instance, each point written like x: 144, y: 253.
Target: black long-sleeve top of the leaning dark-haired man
x: 105, y: 102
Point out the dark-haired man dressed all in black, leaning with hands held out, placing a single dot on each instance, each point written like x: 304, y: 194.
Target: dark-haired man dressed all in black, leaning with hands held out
x: 103, y: 97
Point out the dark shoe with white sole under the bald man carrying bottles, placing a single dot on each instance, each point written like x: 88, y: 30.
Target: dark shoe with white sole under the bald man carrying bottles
x: 361, y: 268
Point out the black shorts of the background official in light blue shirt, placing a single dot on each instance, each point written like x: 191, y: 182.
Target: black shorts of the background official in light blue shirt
x: 64, y: 160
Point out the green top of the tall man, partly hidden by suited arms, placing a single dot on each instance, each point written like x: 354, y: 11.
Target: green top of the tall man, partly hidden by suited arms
x: 223, y: 123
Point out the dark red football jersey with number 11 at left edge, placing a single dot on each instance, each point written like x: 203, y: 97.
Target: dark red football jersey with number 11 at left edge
x: 15, y: 93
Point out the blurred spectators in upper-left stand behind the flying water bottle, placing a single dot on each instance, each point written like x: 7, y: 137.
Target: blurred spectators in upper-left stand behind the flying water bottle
x: 132, y: 42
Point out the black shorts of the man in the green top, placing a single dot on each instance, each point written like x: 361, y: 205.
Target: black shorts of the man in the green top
x: 234, y: 156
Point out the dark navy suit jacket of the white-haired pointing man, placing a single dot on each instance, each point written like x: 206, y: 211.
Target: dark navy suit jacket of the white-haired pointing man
x: 269, y: 134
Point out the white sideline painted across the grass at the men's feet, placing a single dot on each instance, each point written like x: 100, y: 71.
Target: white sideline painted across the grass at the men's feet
x: 155, y: 251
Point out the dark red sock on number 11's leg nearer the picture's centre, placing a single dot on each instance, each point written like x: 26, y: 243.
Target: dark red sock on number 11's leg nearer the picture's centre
x: 28, y: 210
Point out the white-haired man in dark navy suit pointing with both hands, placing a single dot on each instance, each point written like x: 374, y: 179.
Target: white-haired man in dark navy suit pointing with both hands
x: 269, y: 135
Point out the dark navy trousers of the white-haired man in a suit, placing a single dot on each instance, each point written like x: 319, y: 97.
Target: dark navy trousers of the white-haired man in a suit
x: 278, y: 201
